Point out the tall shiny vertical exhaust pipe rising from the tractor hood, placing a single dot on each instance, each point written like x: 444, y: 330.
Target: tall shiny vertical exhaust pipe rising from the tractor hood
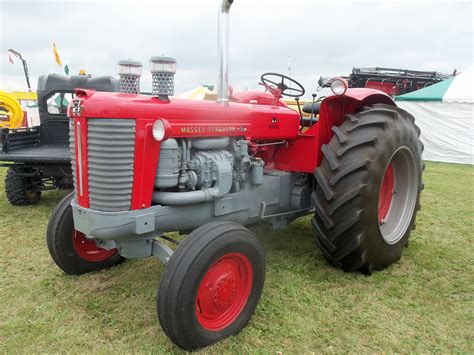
x: 223, y: 52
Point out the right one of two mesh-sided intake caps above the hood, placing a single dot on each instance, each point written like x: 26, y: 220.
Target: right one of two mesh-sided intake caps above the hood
x: 163, y: 70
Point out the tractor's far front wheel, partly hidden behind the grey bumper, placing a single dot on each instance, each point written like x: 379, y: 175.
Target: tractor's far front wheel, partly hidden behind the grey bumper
x: 69, y: 248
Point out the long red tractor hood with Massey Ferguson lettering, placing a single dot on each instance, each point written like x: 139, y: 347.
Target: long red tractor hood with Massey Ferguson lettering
x: 191, y: 118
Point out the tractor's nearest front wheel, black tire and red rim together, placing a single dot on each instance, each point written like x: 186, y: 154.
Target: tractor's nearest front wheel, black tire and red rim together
x: 211, y: 285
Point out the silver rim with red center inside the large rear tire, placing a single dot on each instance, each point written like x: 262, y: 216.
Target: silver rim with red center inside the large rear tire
x: 397, y: 195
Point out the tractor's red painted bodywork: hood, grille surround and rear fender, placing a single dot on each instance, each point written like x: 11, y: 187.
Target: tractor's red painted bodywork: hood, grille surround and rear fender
x: 260, y: 122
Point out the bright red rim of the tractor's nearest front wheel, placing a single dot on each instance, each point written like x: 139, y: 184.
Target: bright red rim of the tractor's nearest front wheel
x: 224, y: 291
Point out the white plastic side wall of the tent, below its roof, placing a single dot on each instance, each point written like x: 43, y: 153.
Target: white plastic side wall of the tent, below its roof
x: 447, y: 129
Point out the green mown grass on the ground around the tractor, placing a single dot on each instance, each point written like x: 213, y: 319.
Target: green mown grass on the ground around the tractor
x: 423, y: 303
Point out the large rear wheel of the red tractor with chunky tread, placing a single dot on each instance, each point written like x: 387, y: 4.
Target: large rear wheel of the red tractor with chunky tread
x: 368, y: 189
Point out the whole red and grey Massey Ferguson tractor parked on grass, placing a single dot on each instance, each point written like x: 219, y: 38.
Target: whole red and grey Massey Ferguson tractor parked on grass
x: 147, y: 165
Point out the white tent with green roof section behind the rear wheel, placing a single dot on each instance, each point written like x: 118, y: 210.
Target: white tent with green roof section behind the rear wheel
x: 444, y: 113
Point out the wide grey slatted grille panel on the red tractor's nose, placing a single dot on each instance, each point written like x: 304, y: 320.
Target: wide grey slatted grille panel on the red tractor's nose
x: 110, y: 148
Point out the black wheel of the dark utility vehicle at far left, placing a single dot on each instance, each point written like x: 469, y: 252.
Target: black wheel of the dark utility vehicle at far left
x: 22, y: 190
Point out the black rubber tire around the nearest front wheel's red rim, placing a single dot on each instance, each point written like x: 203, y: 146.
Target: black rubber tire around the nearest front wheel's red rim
x: 182, y: 324
